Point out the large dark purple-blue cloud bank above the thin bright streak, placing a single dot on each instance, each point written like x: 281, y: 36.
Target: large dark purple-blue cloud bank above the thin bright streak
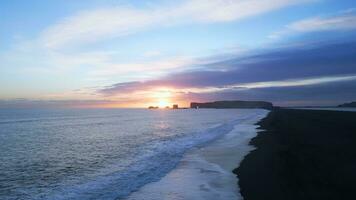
x: 271, y: 65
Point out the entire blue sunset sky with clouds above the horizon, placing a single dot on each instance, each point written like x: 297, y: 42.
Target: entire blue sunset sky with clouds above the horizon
x: 121, y: 53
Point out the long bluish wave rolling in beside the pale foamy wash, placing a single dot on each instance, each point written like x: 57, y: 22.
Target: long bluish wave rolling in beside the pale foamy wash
x: 155, y: 159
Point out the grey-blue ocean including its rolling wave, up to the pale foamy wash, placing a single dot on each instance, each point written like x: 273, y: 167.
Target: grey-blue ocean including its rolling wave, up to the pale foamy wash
x: 101, y: 153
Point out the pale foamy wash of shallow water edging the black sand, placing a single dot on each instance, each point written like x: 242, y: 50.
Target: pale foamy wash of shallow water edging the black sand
x: 206, y: 172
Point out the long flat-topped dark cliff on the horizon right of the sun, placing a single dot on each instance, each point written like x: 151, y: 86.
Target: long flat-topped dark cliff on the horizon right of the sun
x: 233, y: 104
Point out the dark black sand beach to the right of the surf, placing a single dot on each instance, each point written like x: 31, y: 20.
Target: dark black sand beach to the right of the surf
x: 302, y: 154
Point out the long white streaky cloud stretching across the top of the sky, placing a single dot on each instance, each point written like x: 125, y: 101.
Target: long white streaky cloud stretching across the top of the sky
x: 106, y: 23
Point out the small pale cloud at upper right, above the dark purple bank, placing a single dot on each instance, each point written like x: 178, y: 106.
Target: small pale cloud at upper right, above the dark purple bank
x: 344, y: 22
